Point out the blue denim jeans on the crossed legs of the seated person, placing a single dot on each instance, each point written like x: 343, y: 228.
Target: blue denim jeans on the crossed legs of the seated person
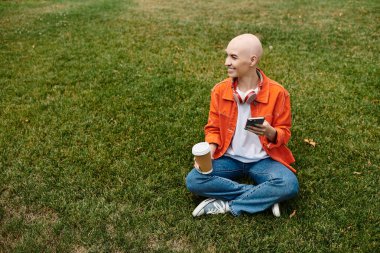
x: 273, y: 183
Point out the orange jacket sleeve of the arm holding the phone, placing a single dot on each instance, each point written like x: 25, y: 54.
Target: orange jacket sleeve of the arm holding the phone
x: 282, y: 120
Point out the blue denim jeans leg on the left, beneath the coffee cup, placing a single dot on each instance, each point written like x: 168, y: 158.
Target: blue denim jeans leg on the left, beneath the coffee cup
x: 219, y: 184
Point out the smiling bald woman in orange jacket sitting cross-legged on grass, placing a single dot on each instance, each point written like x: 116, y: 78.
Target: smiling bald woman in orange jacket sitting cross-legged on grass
x: 256, y: 151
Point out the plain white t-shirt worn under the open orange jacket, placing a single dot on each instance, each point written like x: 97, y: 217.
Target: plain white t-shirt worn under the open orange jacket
x: 245, y: 146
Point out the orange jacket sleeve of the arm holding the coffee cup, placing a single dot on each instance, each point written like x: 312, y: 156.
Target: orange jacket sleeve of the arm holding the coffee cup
x: 212, y: 129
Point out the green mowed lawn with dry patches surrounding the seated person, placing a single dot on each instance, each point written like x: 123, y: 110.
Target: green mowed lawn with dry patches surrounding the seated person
x: 101, y: 102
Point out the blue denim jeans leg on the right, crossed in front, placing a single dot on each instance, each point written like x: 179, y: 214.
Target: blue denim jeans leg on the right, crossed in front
x: 275, y: 183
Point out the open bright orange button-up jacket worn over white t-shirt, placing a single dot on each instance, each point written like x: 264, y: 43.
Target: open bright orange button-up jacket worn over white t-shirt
x: 272, y: 102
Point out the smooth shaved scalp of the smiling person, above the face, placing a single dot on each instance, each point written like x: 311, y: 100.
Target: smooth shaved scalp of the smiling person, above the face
x: 246, y: 45
